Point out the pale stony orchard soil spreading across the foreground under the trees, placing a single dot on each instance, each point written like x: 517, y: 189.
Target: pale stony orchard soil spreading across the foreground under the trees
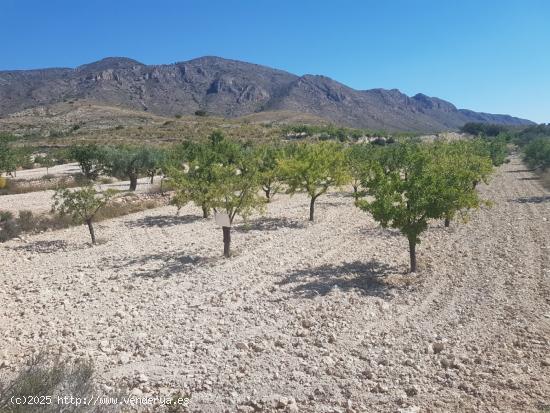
x: 305, y: 317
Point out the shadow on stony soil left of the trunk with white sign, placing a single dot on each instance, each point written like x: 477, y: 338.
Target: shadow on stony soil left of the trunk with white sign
x: 170, y: 264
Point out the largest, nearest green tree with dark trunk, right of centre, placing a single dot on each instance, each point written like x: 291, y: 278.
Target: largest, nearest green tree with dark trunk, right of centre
x: 412, y: 186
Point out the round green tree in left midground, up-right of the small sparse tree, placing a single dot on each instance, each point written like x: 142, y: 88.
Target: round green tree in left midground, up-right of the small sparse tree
x: 130, y: 162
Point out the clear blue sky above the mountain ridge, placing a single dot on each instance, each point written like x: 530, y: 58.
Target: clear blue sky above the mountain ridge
x: 485, y: 55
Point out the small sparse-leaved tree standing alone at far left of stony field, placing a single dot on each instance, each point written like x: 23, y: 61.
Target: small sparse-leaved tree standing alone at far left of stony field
x: 81, y: 205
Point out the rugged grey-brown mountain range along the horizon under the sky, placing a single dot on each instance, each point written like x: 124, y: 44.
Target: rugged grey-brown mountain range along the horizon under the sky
x: 231, y: 88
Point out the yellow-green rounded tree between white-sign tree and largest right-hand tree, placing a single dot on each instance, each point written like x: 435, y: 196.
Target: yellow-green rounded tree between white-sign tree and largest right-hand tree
x: 314, y: 168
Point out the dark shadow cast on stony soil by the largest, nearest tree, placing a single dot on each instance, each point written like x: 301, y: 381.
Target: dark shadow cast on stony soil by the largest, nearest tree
x: 366, y: 277
